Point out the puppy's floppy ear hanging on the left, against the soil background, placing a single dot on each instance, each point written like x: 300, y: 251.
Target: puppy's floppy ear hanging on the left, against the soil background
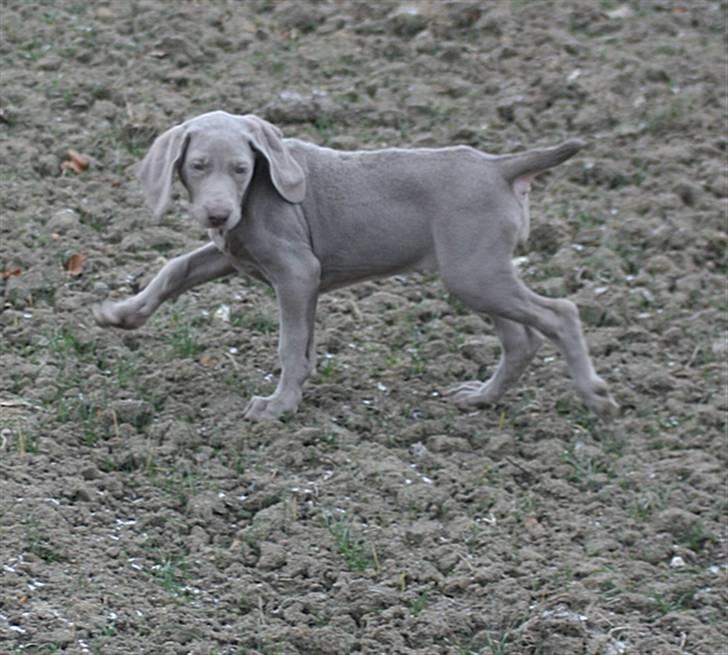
x: 158, y: 168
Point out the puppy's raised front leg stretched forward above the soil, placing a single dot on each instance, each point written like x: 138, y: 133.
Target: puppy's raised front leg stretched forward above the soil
x: 175, y: 277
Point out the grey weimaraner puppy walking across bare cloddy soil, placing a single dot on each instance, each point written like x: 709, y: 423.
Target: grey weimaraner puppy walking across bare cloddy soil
x: 307, y: 219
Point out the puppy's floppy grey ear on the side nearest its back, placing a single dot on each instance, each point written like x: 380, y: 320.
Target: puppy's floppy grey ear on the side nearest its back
x: 286, y: 174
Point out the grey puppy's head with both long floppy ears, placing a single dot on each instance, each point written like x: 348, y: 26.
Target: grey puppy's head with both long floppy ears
x: 215, y: 156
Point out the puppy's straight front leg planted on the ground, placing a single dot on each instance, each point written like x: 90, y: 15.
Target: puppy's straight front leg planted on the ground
x: 297, y: 304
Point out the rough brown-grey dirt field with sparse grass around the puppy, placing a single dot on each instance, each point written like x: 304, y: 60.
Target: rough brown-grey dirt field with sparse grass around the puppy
x: 140, y: 514
